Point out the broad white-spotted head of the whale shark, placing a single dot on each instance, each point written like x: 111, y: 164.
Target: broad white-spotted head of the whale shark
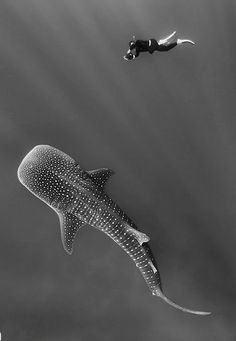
x: 41, y: 170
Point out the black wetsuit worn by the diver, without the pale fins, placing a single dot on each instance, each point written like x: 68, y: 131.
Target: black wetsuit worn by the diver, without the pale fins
x: 150, y: 46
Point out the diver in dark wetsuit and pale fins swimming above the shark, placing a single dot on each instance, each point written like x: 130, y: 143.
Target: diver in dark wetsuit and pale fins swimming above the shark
x: 151, y: 45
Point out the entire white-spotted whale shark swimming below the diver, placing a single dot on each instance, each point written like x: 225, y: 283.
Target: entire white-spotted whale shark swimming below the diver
x: 79, y: 198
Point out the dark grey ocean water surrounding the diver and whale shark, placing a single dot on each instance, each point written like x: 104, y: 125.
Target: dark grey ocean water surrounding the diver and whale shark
x: 165, y: 123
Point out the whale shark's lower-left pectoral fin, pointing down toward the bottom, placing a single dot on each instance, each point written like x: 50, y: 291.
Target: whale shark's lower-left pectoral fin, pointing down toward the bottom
x: 69, y: 226
